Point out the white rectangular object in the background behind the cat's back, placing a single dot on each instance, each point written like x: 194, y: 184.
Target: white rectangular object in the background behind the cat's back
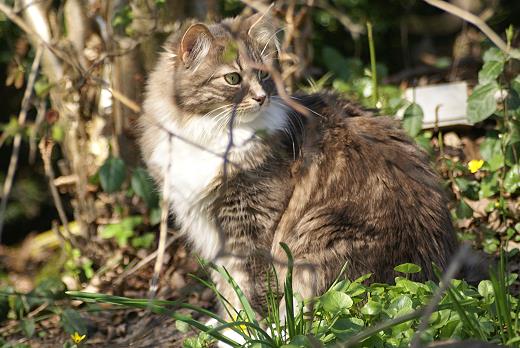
x: 448, y: 101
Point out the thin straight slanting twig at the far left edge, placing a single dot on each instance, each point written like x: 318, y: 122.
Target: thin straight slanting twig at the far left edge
x: 22, y: 116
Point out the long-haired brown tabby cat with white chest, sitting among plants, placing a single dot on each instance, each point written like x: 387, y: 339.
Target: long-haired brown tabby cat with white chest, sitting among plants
x: 337, y: 185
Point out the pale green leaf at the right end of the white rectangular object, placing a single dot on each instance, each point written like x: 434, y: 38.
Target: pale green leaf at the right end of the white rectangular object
x: 482, y: 103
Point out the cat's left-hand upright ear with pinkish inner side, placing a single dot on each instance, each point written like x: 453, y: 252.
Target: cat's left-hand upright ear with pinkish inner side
x: 195, y: 43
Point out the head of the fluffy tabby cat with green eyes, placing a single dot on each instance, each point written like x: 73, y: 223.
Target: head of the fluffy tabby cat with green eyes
x: 217, y: 68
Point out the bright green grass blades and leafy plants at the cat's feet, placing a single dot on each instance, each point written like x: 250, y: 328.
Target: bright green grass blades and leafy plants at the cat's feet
x: 351, y: 313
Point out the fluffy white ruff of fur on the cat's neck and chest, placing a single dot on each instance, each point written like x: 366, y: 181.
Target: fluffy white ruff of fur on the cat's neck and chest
x: 192, y: 154
